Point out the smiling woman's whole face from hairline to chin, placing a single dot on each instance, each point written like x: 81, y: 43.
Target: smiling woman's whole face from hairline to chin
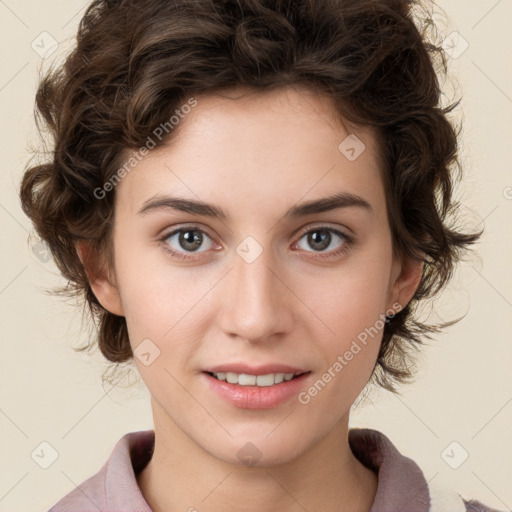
x: 266, y: 286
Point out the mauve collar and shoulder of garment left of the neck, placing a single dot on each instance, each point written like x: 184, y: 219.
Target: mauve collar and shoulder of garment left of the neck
x: 114, y: 486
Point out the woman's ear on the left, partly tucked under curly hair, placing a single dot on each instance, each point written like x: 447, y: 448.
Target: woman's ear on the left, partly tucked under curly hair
x: 105, y: 290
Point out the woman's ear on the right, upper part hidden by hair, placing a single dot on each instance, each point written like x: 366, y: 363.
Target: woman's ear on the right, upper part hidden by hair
x: 405, y: 279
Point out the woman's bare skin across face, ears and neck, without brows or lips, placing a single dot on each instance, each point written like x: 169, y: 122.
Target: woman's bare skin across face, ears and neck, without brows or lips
x: 254, y: 156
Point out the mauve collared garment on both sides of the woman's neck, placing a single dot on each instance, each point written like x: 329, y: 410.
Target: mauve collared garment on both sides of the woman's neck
x: 401, y: 483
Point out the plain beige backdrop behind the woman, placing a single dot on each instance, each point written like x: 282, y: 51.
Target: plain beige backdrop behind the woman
x: 463, y: 391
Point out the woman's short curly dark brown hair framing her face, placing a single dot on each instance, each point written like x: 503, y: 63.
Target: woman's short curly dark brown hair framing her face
x: 136, y: 62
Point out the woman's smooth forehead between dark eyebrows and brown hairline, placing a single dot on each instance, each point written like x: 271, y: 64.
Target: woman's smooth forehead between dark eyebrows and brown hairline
x: 275, y: 146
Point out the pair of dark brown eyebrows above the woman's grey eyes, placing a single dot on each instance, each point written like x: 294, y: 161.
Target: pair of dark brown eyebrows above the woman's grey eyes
x: 340, y: 200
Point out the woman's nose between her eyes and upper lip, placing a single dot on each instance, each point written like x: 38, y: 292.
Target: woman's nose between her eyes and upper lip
x: 256, y: 304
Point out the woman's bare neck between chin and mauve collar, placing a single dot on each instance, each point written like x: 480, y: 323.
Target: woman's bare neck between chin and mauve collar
x: 182, y: 476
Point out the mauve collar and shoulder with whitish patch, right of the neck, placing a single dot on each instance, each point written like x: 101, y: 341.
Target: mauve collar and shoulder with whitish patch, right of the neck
x: 402, y: 484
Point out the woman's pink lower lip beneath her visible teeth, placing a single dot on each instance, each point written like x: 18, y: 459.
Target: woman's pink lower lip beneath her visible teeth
x: 256, y: 397
